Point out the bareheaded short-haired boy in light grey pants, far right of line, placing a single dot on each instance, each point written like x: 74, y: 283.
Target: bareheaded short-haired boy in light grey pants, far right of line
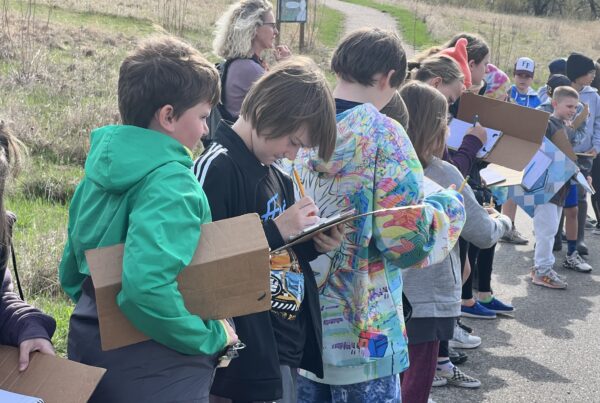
x: 546, y: 216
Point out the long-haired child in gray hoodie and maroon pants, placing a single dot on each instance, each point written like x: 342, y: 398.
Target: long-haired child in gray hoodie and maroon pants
x: 435, y: 293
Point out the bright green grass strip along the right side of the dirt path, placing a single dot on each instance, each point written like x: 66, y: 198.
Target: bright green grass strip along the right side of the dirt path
x: 414, y: 30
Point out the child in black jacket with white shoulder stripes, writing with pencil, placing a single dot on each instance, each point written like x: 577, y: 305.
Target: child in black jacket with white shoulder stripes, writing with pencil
x: 288, y: 108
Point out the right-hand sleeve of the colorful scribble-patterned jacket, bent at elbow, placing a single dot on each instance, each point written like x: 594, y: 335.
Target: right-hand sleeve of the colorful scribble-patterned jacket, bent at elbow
x: 421, y: 236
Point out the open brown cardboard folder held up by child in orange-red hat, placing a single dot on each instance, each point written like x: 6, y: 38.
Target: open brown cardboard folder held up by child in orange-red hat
x: 523, y: 128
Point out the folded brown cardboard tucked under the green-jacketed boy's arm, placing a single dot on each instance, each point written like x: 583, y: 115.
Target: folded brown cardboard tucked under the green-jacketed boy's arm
x: 228, y: 276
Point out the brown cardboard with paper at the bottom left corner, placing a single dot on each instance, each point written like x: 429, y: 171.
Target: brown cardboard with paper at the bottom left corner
x: 53, y: 379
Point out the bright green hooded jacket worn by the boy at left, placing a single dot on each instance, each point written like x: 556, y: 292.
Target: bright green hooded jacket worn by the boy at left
x: 138, y: 190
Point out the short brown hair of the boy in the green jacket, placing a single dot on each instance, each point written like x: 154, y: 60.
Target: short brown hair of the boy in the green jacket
x: 164, y: 71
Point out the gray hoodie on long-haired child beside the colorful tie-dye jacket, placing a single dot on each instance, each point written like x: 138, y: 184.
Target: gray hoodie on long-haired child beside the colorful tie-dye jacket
x: 436, y: 292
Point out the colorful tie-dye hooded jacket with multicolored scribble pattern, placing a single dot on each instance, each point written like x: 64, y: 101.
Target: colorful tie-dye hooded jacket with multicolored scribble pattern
x: 374, y: 166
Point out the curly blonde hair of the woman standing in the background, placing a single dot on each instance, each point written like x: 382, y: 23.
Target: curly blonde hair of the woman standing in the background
x: 237, y: 27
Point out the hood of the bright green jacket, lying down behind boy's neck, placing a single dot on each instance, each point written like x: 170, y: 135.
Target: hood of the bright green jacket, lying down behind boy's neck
x: 121, y: 155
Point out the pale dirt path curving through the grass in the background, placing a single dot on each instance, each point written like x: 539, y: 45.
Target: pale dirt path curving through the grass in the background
x: 356, y: 16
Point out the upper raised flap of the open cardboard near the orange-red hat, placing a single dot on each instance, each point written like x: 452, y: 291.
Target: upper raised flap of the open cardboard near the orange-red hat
x: 513, y: 120
